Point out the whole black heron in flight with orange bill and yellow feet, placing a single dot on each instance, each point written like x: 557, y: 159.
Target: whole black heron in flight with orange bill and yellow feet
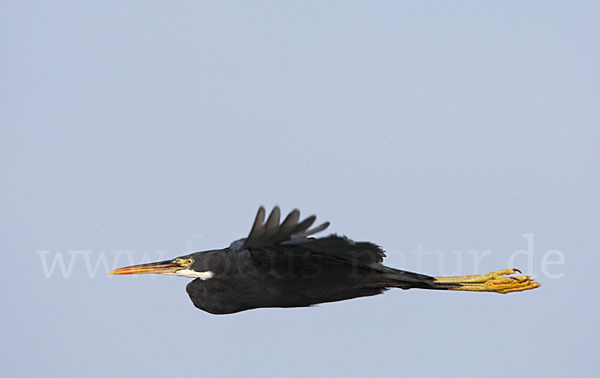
x: 281, y: 265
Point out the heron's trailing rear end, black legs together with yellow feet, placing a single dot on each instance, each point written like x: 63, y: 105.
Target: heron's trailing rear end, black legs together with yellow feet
x: 502, y: 281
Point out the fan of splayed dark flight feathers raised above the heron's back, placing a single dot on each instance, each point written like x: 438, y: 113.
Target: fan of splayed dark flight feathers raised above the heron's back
x: 272, y: 232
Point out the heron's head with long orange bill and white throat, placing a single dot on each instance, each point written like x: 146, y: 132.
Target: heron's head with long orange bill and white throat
x: 185, y: 266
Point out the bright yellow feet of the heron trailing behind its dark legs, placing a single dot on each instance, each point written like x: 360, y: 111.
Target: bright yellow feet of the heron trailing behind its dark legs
x: 501, y: 282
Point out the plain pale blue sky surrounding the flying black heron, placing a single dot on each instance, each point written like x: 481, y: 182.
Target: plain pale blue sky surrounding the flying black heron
x: 158, y: 128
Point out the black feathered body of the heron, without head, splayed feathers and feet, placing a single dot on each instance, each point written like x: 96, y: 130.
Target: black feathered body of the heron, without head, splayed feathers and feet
x: 292, y: 275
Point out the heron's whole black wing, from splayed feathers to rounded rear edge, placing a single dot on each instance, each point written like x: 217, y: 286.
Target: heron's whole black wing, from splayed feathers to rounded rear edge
x: 293, y: 235
